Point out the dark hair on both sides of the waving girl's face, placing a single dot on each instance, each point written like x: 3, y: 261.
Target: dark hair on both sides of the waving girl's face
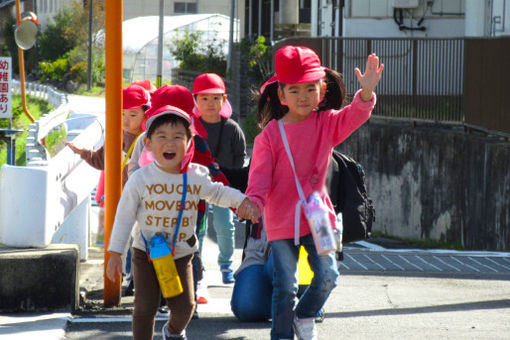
x: 269, y: 106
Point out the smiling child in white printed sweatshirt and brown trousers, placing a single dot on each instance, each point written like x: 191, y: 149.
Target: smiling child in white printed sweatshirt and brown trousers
x: 152, y: 197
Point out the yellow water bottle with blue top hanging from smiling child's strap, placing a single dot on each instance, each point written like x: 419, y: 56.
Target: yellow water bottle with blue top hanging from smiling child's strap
x: 164, y: 265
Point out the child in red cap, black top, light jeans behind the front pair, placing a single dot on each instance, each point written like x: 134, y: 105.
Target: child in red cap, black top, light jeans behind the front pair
x: 228, y: 147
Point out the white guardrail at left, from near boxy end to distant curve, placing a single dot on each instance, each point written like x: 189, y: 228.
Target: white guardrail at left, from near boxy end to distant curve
x: 48, y: 200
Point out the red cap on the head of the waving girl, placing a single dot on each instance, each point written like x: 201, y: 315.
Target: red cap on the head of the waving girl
x: 297, y: 64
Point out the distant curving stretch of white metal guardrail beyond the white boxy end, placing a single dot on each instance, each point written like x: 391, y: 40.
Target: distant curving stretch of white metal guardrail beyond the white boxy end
x: 34, y: 149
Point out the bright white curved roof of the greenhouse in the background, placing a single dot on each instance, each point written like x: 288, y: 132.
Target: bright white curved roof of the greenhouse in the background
x: 138, y: 32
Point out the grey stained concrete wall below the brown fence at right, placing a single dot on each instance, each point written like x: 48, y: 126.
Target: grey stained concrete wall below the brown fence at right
x: 431, y: 181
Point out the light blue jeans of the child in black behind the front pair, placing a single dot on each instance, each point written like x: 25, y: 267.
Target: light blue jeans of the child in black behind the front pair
x: 223, y: 220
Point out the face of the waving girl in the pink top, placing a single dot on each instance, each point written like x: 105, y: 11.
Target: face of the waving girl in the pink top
x: 301, y: 98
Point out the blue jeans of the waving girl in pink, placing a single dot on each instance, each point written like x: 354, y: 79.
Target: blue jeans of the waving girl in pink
x: 285, y: 284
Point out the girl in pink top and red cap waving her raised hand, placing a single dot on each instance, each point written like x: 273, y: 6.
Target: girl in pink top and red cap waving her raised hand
x: 304, y: 98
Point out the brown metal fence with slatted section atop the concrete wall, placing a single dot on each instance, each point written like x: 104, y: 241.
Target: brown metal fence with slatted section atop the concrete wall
x: 425, y: 78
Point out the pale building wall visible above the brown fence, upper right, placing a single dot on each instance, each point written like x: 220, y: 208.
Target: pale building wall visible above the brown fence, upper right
x: 410, y: 18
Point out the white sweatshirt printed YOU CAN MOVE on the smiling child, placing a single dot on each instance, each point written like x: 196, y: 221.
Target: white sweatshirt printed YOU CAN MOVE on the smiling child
x: 152, y: 197
